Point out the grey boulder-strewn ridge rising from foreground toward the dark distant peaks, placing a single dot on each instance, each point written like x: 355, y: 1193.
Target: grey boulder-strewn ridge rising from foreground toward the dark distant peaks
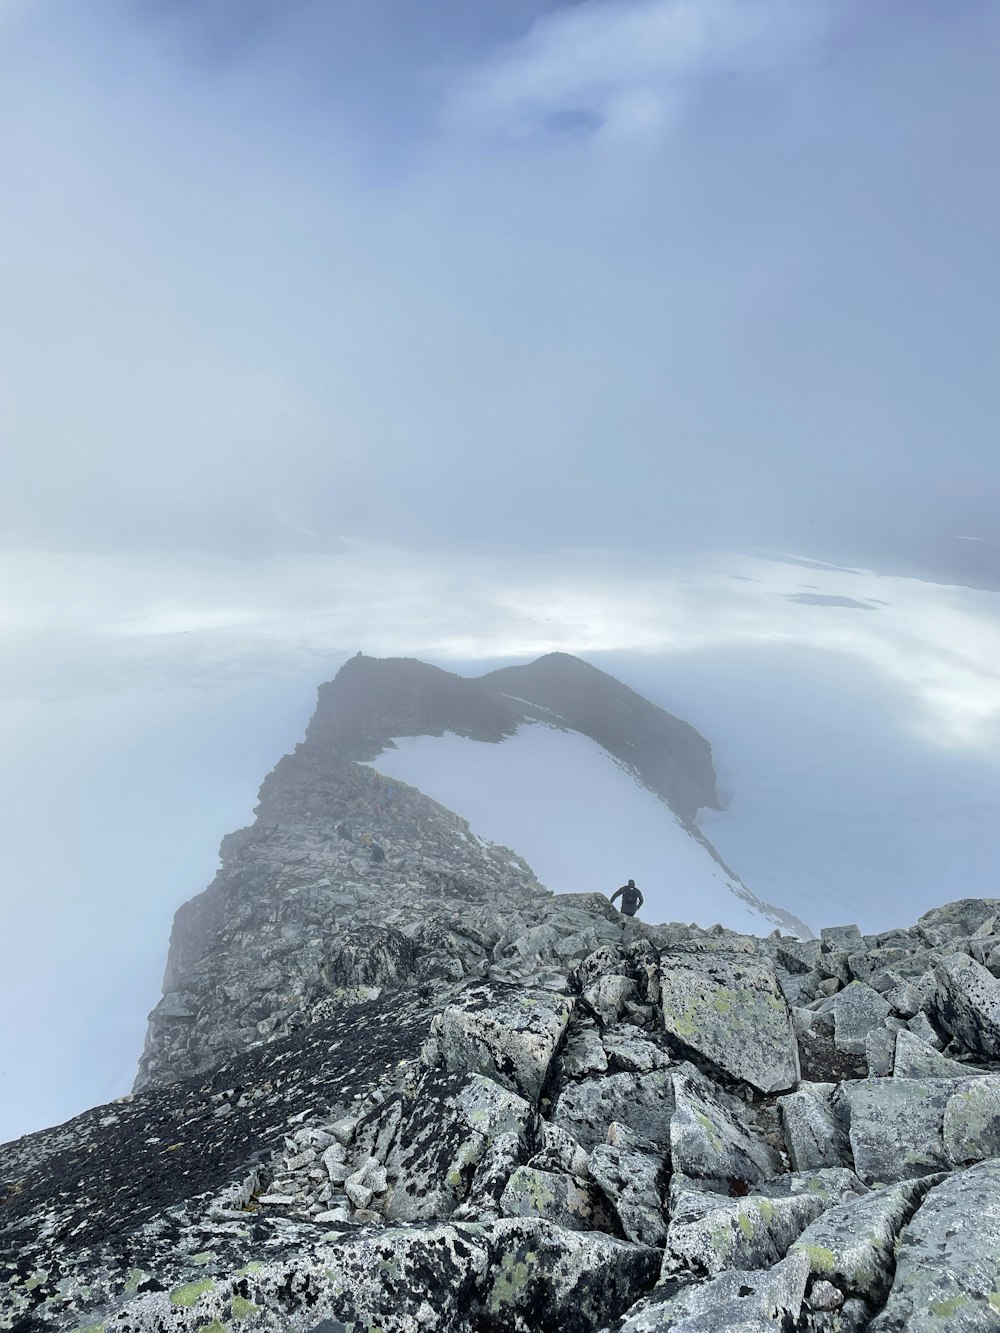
x: 397, y: 1086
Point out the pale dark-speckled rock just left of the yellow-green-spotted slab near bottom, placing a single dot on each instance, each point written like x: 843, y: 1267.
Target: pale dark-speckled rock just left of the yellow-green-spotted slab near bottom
x: 710, y: 1235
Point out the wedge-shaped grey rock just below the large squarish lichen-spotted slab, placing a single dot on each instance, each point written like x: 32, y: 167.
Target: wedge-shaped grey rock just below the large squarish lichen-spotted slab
x: 709, y: 1142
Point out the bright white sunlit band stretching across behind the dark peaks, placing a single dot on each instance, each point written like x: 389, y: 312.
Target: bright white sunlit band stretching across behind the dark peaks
x: 94, y: 626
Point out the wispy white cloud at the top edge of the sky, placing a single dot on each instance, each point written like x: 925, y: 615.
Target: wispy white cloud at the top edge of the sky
x: 627, y: 70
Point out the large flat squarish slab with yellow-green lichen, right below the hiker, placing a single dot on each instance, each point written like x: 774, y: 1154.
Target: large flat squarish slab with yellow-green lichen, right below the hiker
x: 730, y: 1008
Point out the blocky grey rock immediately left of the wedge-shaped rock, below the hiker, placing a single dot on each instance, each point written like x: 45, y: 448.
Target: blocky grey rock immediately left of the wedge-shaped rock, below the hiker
x: 642, y: 1102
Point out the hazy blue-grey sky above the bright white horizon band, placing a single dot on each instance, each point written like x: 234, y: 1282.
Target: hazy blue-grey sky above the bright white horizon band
x: 666, y: 274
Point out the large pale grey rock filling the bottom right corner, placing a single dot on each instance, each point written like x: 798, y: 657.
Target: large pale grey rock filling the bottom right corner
x: 949, y: 1260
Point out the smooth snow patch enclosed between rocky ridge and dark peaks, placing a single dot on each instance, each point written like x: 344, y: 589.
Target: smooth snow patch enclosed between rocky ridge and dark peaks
x: 578, y: 818
